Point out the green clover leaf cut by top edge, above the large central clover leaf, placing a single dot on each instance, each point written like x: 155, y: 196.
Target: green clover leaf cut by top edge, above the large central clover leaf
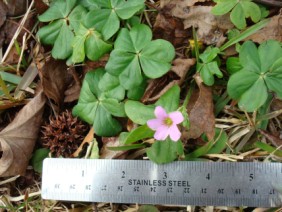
x: 106, y: 18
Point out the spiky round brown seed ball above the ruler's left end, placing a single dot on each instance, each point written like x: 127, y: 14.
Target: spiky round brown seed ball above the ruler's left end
x: 63, y: 134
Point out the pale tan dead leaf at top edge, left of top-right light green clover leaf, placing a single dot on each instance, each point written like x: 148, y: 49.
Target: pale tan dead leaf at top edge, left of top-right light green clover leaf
x: 211, y: 28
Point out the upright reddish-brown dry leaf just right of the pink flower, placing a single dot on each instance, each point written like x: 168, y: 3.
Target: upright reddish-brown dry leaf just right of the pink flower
x: 201, y: 114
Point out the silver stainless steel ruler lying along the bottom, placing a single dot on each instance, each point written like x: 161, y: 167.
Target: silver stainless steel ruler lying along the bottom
x: 178, y: 183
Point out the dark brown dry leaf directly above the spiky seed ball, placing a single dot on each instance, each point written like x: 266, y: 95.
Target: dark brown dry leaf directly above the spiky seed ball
x: 55, y: 78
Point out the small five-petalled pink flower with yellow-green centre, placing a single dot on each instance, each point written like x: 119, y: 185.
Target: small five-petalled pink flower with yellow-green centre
x: 166, y: 124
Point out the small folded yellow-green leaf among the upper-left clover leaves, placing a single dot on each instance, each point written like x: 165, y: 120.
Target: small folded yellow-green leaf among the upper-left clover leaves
x: 90, y: 43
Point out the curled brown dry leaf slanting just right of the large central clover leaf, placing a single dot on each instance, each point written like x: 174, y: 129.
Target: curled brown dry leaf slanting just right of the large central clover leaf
x: 158, y: 87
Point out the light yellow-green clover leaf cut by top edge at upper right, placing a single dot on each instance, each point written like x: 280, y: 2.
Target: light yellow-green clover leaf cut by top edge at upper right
x: 241, y: 9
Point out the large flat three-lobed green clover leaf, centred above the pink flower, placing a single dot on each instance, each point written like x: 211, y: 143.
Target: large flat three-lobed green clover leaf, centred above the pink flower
x: 135, y: 52
